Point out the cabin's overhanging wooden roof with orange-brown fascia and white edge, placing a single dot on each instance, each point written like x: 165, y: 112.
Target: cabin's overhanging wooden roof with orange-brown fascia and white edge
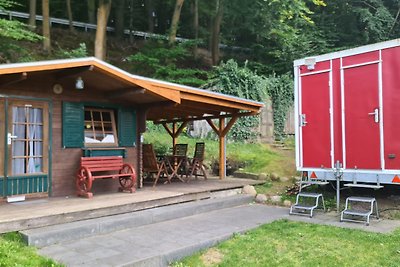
x: 164, y: 101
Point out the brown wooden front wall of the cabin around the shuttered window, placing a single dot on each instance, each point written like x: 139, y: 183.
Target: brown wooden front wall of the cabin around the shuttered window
x: 65, y: 161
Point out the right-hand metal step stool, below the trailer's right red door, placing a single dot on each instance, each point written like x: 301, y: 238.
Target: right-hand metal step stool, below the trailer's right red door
x: 348, y: 210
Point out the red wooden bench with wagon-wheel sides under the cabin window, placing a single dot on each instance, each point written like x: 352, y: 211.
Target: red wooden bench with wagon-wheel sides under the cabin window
x: 93, y: 168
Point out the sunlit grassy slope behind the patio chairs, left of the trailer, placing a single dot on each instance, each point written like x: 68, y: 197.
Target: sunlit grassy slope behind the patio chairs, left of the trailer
x: 257, y: 158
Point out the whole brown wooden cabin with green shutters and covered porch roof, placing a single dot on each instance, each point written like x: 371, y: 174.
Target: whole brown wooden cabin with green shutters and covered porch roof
x: 55, y: 112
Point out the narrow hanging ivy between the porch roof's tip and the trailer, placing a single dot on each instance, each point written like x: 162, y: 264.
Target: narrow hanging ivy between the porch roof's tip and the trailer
x: 280, y: 89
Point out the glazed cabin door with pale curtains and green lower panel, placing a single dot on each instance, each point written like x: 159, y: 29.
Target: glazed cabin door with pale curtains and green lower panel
x: 26, y: 153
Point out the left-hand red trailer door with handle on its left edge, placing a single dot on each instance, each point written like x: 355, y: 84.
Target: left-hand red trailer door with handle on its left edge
x: 315, y: 120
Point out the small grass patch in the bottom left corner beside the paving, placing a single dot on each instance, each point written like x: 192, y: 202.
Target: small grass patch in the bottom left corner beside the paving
x: 13, y: 252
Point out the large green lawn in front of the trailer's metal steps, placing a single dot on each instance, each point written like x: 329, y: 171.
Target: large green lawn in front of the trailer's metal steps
x: 286, y: 243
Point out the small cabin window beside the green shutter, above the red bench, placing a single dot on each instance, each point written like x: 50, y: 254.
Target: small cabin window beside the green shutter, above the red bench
x: 99, y: 127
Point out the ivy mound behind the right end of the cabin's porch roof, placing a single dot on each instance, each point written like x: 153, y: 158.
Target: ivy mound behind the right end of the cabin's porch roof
x: 231, y: 79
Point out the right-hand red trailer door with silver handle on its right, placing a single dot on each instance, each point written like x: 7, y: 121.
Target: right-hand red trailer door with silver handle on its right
x: 361, y: 116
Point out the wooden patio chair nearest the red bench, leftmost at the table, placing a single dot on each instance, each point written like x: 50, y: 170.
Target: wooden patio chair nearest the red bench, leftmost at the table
x: 152, y: 166
